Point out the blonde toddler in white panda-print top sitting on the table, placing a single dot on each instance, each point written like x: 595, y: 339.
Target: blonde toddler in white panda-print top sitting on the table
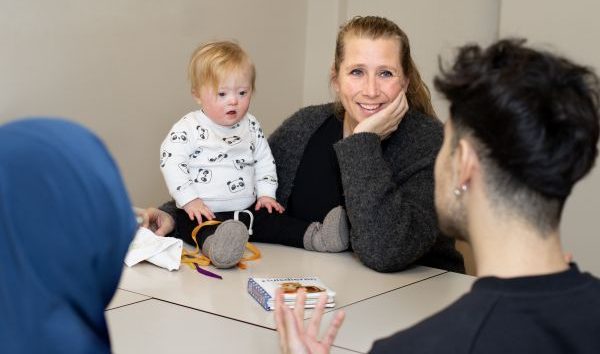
x: 216, y: 159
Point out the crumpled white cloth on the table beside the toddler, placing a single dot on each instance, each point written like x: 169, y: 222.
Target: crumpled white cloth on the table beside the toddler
x: 164, y: 252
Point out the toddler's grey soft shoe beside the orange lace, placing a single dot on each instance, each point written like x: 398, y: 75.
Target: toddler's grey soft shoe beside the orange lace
x: 226, y: 246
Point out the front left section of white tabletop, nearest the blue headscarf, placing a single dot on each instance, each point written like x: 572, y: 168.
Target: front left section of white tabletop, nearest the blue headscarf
x: 155, y: 326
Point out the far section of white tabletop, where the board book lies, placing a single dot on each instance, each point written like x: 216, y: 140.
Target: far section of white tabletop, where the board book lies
x: 228, y: 297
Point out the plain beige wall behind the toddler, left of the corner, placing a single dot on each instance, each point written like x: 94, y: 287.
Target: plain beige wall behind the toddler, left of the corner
x: 120, y: 67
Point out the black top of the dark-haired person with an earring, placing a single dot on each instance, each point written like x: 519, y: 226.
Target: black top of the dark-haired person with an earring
x: 556, y: 313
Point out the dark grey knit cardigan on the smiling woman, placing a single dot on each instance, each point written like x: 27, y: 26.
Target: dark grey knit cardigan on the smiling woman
x: 388, y: 188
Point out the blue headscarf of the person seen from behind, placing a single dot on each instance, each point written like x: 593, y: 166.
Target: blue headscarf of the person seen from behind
x: 65, y: 225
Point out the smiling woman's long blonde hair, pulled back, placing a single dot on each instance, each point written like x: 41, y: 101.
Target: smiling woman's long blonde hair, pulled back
x: 374, y: 27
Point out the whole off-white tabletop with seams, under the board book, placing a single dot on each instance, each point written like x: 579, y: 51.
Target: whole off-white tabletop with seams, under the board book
x: 156, y: 311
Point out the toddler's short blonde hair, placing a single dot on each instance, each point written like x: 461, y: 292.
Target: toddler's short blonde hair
x: 212, y: 62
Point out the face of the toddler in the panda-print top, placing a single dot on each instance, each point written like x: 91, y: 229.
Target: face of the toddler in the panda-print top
x: 230, y: 103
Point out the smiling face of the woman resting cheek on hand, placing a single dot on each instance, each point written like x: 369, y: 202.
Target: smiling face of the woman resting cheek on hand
x: 370, y: 76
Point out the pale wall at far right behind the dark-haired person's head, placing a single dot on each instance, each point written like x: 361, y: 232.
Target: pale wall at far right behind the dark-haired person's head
x: 570, y: 28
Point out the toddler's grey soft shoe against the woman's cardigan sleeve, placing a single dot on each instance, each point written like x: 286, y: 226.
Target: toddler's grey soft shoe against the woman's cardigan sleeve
x: 331, y: 236
